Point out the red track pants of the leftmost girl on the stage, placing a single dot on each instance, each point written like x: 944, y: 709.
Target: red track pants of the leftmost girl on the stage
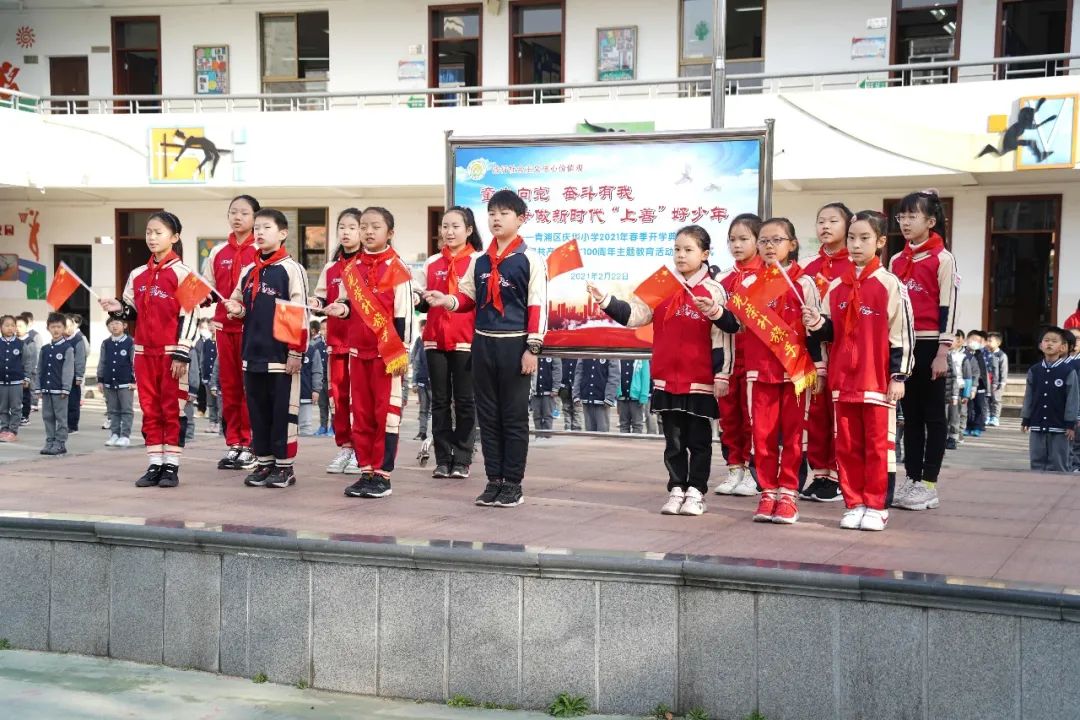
x: 163, y: 400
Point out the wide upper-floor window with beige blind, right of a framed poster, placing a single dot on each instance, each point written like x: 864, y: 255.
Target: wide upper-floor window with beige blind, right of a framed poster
x: 296, y: 52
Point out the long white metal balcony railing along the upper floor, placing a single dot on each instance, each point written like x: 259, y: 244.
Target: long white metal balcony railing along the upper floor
x: 890, y: 76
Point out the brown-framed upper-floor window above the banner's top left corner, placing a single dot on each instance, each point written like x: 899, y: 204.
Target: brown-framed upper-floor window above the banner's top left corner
x: 455, y: 44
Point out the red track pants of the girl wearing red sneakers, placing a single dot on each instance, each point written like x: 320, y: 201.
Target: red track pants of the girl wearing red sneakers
x: 776, y: 411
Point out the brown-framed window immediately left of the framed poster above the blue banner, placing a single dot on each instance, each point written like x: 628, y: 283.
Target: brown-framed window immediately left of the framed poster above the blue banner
x: 536, y: 46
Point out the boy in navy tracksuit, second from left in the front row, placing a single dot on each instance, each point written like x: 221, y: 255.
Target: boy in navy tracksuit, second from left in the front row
x: 272, y: 368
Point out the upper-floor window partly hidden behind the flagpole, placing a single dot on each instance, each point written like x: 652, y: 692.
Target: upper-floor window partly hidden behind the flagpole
x: 744, y: 35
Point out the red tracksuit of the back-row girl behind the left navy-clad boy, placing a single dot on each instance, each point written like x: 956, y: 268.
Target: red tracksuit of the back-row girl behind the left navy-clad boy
x: 222, y: 273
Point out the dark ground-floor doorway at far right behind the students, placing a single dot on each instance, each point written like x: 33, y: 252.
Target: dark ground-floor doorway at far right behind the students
x: 1021, y: 271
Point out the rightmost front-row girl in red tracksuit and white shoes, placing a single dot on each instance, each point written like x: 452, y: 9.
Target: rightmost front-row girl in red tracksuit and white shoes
x: 868, y: 319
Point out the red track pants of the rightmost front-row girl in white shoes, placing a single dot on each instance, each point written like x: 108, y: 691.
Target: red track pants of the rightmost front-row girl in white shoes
x: 867, y: 453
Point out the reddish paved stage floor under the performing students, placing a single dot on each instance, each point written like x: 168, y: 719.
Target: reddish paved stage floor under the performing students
x: 996, y: 521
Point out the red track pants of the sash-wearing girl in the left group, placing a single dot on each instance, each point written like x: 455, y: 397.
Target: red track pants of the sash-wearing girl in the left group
x: 376, y: 405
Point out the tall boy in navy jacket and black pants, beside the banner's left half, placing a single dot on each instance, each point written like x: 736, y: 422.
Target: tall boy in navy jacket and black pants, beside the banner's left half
x: 508, y: 287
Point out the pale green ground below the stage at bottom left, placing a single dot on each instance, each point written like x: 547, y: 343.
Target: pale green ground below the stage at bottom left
x: 46, y: 687
